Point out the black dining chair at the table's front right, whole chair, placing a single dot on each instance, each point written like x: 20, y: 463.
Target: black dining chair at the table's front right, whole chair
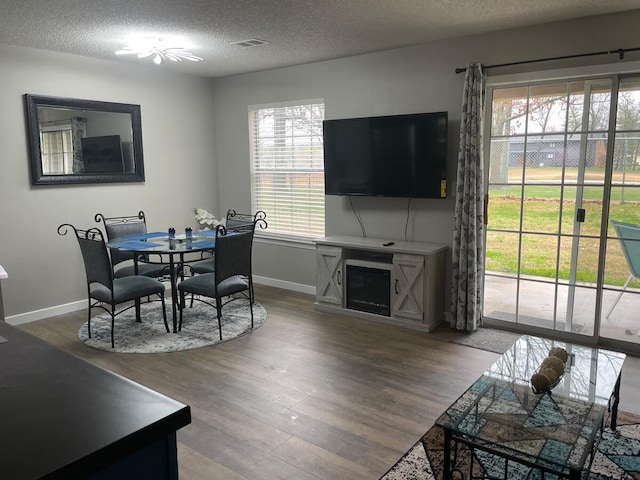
x: 232, y: 274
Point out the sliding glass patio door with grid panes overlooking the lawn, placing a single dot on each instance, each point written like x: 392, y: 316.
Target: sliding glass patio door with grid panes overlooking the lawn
x: 555, y: 178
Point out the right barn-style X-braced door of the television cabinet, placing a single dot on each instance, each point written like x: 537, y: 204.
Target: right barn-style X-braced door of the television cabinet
x: 407, y: 289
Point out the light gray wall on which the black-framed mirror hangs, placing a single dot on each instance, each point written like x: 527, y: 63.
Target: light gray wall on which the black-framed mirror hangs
x: 45, y: 270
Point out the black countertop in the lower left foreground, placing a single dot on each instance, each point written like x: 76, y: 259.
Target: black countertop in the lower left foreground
x: 62, y: 417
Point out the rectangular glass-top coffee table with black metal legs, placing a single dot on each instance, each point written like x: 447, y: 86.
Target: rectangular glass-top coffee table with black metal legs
x: 510, y: 430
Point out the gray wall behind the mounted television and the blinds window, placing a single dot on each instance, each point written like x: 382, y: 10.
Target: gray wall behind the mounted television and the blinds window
x: 408, y: 80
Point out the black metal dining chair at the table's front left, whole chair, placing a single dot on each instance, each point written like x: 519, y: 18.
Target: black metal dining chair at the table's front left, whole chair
x: 102, y: 287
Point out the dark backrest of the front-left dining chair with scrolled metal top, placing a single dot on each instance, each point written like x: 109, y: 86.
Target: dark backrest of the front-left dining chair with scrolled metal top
x: 97, y: 265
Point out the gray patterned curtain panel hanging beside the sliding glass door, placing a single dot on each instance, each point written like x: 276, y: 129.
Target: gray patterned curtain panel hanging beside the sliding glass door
x: 468, y: 232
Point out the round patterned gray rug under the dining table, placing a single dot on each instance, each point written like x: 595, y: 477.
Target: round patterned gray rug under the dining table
x: 199, y: 327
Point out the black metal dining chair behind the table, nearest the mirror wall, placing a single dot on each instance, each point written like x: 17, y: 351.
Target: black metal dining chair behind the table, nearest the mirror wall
x: 118, y: 227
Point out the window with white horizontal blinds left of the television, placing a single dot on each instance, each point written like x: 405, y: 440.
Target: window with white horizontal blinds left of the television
x: 287, y: 162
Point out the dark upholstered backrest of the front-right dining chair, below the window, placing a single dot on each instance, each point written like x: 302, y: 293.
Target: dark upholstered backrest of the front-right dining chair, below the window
x: 233, y: 253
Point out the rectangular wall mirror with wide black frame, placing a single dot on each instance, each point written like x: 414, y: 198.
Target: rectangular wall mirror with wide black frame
x: 83, y: 141
